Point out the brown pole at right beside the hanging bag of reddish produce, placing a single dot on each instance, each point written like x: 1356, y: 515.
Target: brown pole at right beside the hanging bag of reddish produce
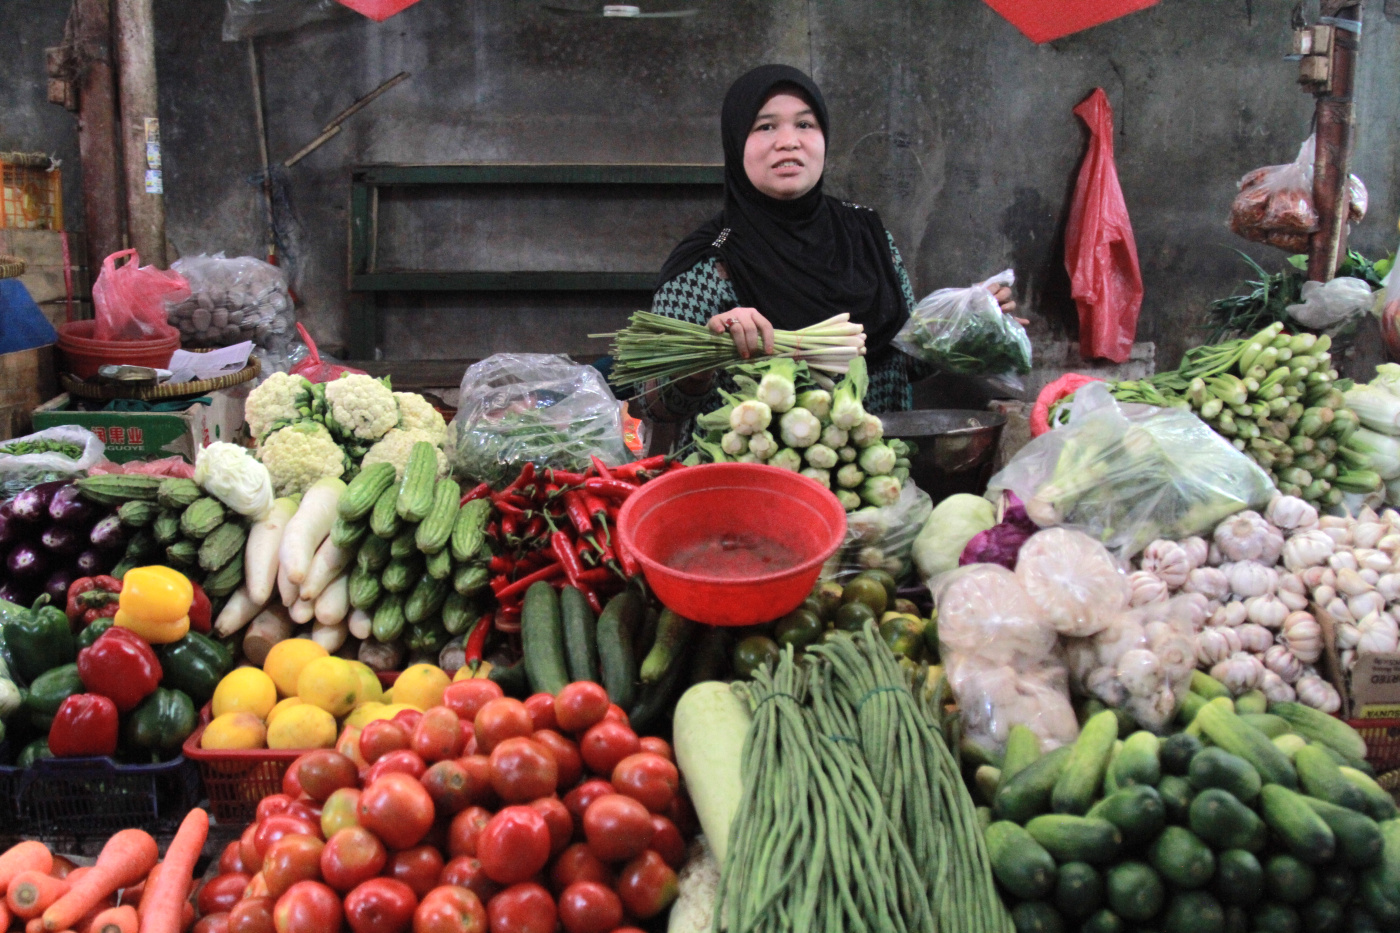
x: 1336, y: 113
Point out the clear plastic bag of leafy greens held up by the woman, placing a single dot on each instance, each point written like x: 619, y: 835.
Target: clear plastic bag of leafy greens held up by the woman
x: 964, y: 331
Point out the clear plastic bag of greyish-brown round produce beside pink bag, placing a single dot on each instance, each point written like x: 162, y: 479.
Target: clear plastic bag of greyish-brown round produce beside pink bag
x: 230, y: 302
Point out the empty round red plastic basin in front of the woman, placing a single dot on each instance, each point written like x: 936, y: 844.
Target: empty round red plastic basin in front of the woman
x: 733, y: 544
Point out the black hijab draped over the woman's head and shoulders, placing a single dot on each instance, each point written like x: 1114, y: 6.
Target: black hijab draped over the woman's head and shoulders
x: 796, y: 261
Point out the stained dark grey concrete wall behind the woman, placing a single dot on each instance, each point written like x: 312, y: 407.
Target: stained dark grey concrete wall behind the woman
x: 950, y: 123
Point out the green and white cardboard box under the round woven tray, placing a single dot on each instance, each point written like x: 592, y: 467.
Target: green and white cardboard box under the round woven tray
x: 153, y: 435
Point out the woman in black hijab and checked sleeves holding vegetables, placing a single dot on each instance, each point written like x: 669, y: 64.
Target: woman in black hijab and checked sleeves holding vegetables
x: 783, y: 254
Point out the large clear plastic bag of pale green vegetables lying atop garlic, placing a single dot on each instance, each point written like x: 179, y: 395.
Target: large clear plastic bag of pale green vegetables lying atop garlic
x: 1129, y: 476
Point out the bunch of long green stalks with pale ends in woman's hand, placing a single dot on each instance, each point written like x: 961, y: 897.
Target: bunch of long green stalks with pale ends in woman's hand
x: 654, y: 347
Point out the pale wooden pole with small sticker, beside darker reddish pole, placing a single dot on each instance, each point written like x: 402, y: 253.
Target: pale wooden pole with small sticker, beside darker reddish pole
x: 141, y: 130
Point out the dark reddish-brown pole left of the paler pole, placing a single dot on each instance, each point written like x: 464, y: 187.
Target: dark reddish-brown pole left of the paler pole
x: 97, y: 135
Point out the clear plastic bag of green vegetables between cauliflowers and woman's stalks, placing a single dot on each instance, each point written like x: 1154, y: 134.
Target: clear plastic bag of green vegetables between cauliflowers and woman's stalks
x: 534, y: 407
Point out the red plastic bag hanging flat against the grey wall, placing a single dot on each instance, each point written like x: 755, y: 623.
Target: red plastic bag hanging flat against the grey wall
x: 1100, y: 251
